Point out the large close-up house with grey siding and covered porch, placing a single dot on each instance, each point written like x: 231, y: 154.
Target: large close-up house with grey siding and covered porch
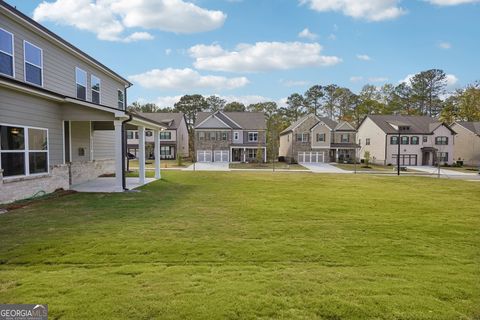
x: 62, y: 112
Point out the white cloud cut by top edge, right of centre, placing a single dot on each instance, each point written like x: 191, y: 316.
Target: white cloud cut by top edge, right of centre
x: 371, y: 10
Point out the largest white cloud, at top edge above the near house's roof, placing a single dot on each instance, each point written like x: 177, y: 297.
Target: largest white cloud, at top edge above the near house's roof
x: 111, y: 19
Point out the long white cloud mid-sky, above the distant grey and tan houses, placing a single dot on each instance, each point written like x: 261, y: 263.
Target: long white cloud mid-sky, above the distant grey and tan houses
x: 261, y: 56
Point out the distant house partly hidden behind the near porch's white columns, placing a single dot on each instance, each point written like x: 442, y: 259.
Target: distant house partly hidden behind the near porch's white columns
x: 173, y: 140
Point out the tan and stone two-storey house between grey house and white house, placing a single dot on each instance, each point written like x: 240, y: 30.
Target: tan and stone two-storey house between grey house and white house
x: 318, y: 139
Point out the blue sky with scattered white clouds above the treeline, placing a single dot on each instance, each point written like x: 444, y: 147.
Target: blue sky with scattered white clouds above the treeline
x: 251, y: 50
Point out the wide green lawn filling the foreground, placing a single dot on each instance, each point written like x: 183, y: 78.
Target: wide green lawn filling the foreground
x: 240, y: 245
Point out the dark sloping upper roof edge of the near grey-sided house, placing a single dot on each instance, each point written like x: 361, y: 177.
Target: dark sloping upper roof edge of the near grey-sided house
x: 18, y: 14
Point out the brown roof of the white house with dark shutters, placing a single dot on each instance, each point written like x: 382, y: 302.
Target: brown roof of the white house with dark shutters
x: 417, y: 124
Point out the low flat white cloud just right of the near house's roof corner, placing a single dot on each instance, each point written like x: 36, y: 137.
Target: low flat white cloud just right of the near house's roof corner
x: 185, y: 79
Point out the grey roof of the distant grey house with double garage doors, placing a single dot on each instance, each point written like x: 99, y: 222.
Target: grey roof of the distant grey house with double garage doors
x: 236, y: 120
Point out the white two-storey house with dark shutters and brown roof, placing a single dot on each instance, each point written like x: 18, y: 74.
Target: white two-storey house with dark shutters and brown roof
x: 423, y: 140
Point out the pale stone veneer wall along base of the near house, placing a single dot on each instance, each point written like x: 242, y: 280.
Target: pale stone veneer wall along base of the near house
x: 60, y: 177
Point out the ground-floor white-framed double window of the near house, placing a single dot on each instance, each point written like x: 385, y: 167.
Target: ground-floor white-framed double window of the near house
x: 23, y: 150
